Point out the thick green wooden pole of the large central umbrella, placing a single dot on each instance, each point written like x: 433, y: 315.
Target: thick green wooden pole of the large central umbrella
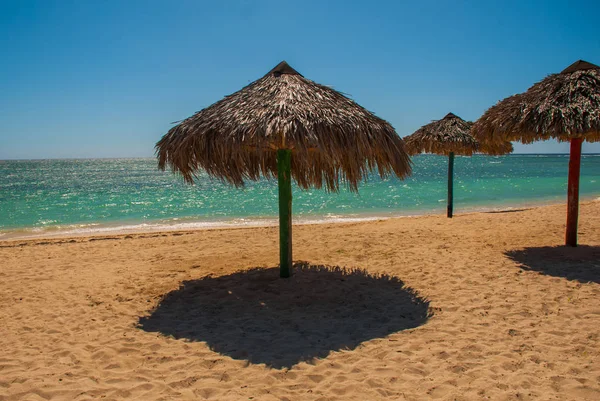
x: 284, y: 176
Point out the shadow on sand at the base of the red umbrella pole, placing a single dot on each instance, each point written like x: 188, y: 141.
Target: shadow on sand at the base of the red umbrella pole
x: 580, y: 264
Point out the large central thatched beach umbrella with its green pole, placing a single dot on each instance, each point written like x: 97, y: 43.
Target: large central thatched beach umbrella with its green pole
x: 286, y: 126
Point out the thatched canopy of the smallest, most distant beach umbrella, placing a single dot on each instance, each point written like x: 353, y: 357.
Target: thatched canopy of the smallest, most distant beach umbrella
x: 451, y: 134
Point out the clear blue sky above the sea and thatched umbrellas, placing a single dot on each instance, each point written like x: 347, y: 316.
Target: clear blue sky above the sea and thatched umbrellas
x: 107, y: 78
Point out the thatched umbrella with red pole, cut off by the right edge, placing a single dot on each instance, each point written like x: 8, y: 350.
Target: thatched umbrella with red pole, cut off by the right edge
x: 563, y: 106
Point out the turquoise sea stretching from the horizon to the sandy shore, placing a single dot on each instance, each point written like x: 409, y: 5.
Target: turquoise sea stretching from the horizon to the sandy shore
x: 48, y: 197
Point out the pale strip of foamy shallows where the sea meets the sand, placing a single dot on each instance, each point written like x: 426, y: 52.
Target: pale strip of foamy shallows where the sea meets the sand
x: 118, y: 229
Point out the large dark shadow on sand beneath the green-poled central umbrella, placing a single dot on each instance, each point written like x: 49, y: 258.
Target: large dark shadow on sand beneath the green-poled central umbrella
x: 254, y: 315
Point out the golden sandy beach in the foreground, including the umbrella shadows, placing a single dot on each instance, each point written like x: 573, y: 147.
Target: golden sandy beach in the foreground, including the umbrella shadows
x: 481, y: 306
